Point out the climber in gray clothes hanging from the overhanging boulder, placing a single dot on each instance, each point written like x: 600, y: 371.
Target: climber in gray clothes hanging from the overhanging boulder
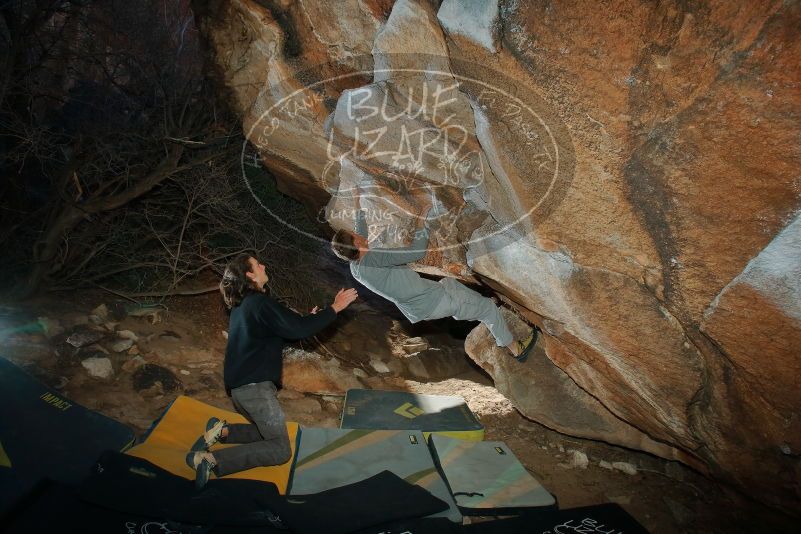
x: 386, y: 273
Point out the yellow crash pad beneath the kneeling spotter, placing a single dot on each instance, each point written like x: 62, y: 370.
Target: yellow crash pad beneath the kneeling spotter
x: 179, y: 428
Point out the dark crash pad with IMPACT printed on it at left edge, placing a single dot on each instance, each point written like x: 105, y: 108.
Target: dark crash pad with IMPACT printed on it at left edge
x: 45, y: 435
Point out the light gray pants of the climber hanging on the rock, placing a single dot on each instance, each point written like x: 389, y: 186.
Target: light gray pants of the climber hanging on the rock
x: 464, y: 304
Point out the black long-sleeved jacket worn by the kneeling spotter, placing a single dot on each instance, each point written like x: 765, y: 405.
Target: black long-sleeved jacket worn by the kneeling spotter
x: 257, y: 330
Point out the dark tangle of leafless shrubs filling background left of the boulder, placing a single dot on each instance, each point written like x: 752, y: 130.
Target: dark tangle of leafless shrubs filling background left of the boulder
x: 121, y: 165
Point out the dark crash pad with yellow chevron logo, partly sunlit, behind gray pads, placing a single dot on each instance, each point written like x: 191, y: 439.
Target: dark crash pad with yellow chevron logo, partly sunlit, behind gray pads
x: 401, y: 410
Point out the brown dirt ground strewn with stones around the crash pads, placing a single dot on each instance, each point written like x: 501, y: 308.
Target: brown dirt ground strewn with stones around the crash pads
x: 184, y: 342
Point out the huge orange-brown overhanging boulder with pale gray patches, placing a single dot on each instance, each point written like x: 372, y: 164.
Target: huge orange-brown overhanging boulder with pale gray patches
x: 626, y: 177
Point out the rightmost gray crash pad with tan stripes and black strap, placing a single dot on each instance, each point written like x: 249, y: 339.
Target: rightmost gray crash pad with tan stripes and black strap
x: 486, y: 478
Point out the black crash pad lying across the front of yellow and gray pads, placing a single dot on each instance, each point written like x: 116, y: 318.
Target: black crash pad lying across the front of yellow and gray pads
x: 136, y: 486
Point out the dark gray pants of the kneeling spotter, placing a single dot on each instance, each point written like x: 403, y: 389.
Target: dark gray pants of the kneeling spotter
x: 265, y: 441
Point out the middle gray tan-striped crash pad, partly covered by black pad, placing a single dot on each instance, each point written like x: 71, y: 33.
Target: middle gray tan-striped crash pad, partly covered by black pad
x: 329, y: 458
